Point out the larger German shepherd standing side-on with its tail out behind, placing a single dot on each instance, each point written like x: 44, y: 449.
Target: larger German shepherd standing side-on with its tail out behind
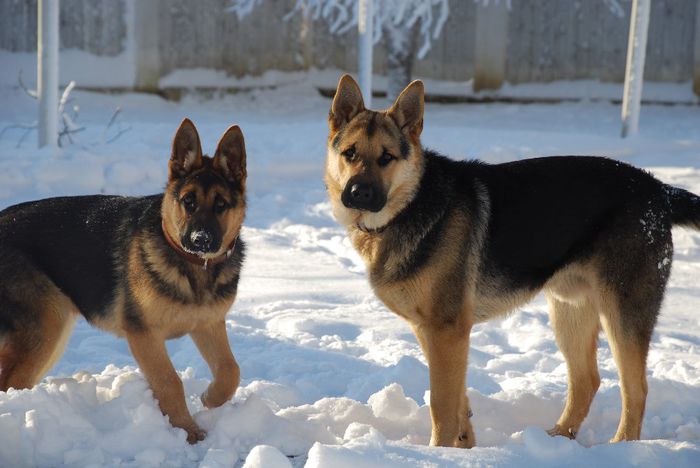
x: 448, y: 244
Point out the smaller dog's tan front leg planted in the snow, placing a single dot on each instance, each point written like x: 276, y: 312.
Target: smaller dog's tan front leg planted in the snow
x: 152, y: 356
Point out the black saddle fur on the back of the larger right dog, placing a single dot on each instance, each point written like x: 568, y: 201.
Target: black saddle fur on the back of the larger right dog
x: 548, y: 212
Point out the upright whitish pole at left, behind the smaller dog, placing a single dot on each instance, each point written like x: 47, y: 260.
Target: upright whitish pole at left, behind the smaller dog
x: 47, y: 71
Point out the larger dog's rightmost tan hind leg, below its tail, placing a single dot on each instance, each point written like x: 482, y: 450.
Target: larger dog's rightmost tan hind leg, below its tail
x: 630, y: 353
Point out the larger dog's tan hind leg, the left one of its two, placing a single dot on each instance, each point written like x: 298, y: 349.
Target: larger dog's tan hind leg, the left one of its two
x: 576, y: 329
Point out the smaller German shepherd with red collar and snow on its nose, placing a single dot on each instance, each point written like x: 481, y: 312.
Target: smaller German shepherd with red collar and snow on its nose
x: 147, y: 269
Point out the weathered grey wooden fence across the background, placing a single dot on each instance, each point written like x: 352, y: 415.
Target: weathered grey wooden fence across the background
x: 532, y: 41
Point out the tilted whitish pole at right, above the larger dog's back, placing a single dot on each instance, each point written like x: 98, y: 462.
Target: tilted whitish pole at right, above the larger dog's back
x: 634, y: 73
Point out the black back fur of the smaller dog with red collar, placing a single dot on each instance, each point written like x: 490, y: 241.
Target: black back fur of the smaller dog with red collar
x: 78, y: 241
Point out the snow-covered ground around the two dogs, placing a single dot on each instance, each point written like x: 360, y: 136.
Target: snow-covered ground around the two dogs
x: 330, y: 377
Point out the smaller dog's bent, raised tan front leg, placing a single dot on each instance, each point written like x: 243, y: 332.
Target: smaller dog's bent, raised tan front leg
x: 212, y: 342
